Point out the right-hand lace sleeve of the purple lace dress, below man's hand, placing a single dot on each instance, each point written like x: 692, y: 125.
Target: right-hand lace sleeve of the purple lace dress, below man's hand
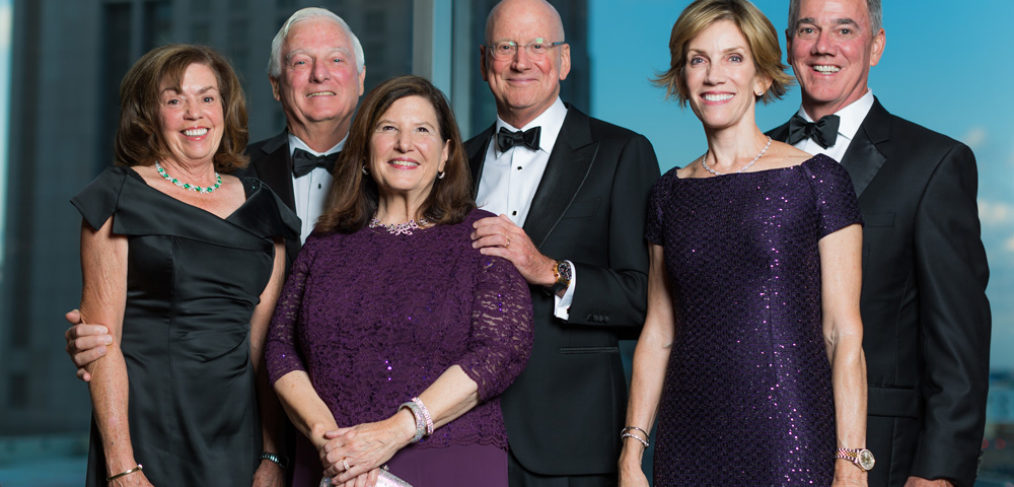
x: 501, y: 336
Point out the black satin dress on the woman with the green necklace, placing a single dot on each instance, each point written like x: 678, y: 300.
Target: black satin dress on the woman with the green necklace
x: 193, y: 282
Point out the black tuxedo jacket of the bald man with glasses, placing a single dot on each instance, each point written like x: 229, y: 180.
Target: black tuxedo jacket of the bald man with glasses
x: 564, y: 413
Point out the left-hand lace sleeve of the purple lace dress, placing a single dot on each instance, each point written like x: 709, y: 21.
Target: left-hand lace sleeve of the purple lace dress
x: 281, y: 353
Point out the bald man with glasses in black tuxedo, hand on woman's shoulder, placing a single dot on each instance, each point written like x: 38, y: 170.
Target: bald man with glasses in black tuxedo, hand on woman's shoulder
x: 571, y: 193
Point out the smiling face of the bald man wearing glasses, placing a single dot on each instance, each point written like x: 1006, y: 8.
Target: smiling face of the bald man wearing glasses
x: 525, y: 86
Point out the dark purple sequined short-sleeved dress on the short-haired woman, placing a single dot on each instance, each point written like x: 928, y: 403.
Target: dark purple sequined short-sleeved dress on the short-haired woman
x: 748, y: 393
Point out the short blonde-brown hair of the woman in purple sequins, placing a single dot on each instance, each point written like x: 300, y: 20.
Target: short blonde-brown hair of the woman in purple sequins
x: 760, y: 34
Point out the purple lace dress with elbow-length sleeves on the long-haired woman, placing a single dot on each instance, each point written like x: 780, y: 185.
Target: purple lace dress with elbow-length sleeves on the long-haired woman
x: 376, y: 318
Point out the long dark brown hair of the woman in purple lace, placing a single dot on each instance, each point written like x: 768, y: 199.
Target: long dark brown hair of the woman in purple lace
x: 354, y: 195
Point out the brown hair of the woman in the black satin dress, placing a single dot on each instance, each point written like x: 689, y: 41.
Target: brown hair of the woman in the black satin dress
x: 139, y: 140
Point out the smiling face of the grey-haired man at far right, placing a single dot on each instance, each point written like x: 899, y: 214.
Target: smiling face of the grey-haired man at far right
x: 832, y: 52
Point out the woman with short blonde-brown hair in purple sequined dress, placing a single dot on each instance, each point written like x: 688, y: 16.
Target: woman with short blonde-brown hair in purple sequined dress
x: 752, y: 351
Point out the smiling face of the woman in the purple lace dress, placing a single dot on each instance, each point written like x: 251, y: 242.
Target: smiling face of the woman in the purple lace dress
x: 407, y: 150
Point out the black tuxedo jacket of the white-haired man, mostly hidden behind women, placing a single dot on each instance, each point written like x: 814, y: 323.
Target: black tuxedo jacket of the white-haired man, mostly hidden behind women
x: 271, y: 163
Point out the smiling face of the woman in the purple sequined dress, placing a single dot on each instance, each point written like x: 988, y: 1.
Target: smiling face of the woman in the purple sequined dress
x: 721, y: 79
